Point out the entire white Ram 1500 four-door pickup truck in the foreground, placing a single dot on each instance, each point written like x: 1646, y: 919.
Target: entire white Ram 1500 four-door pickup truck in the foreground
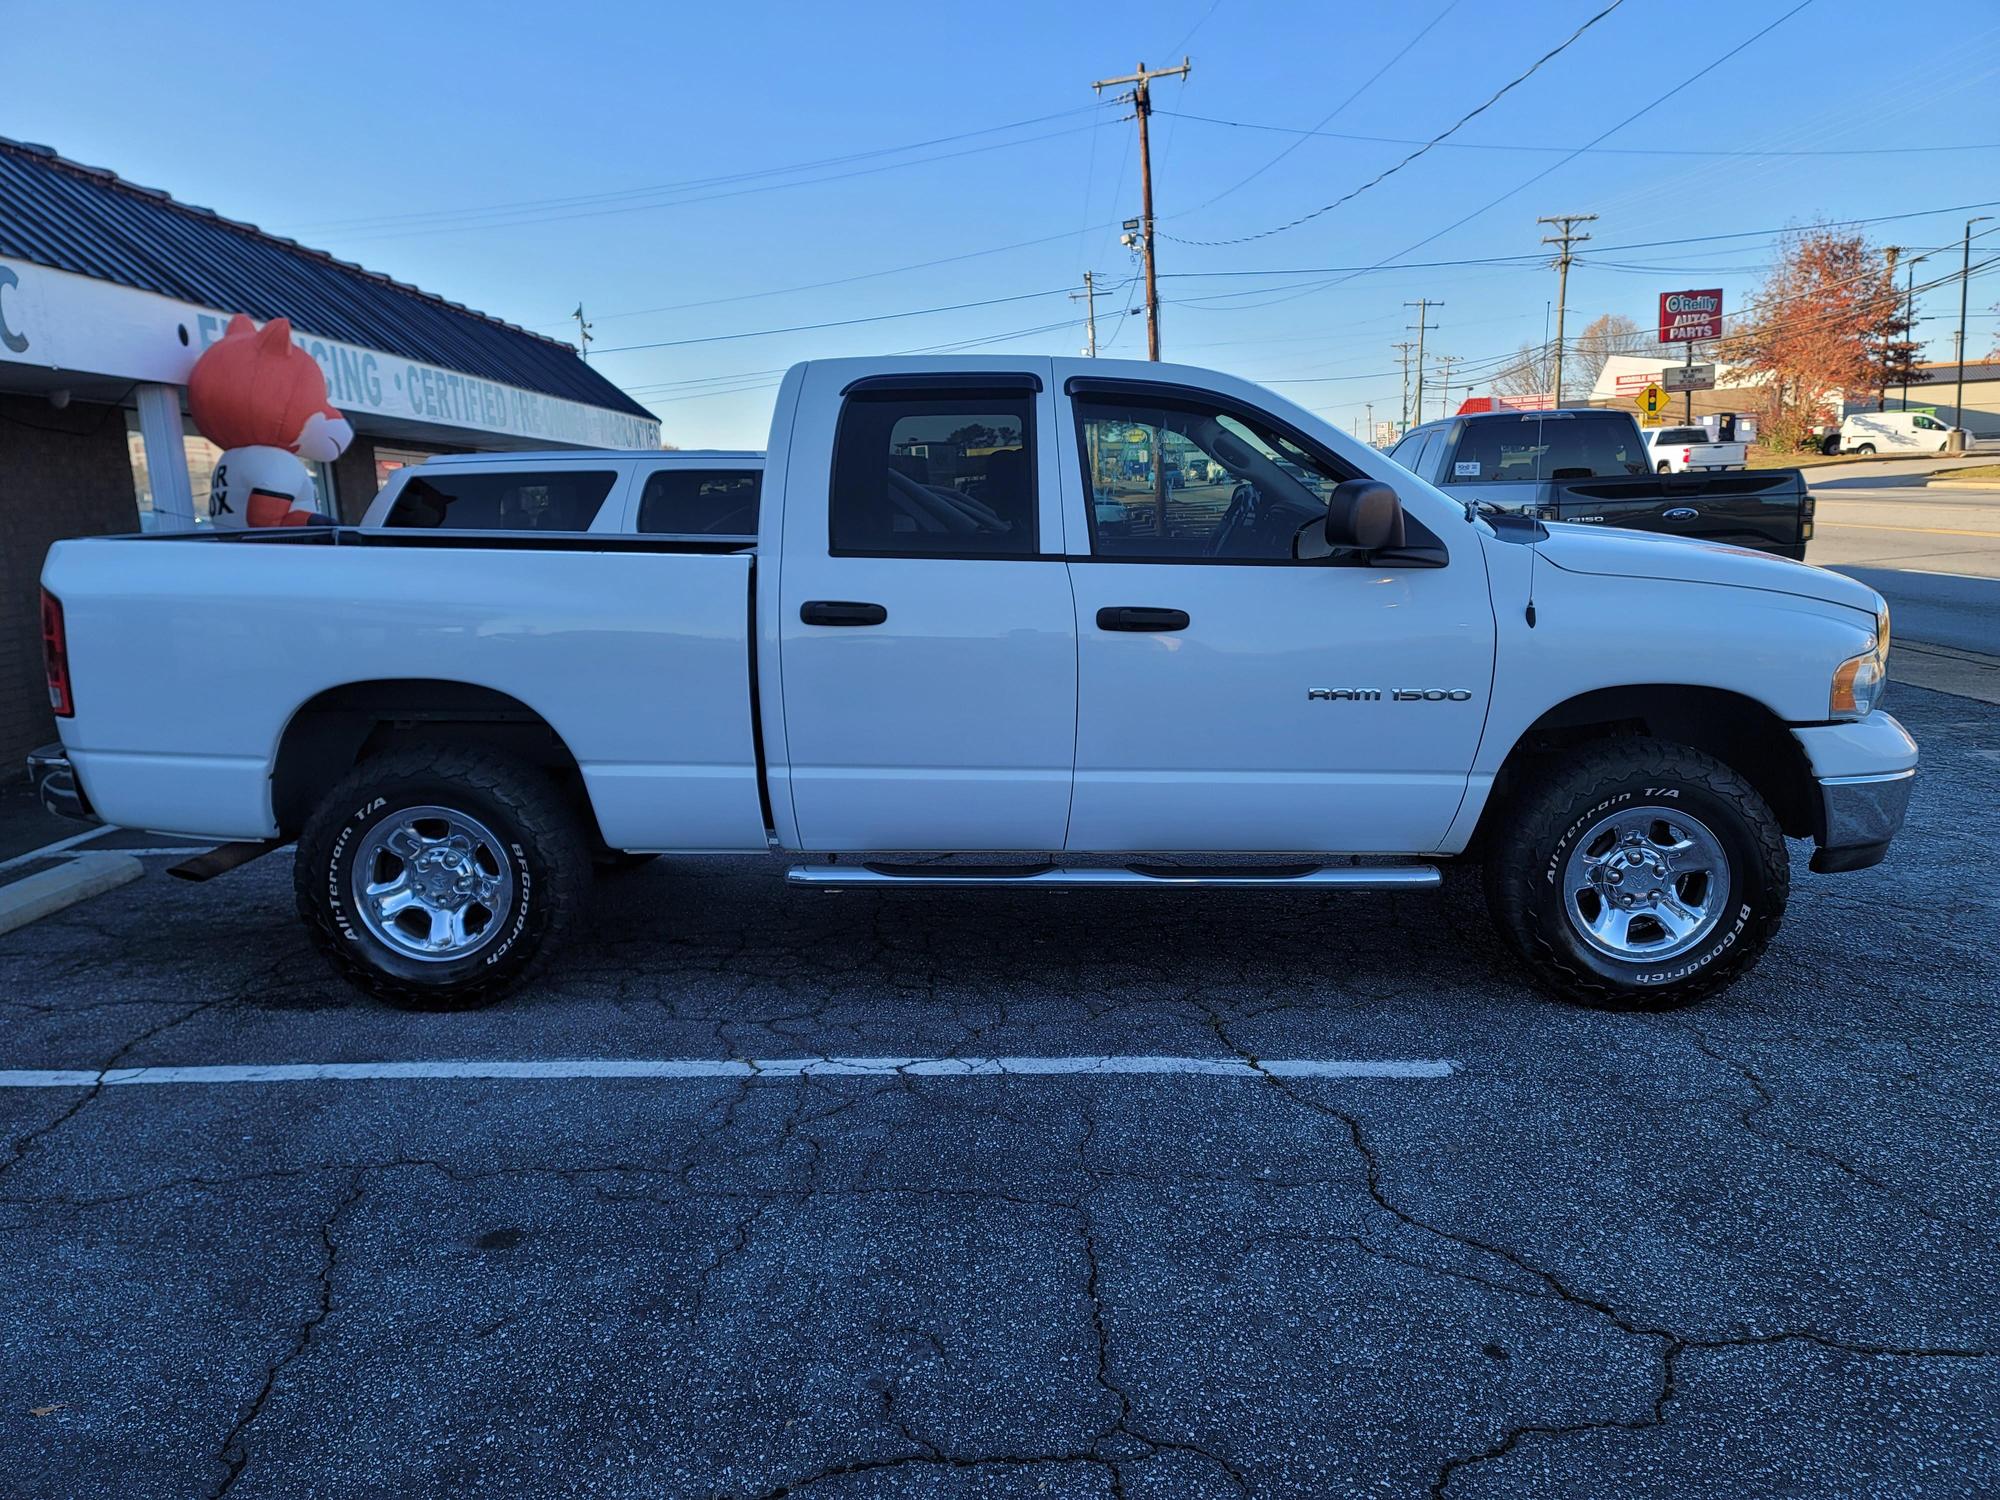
x: 1017, y: 609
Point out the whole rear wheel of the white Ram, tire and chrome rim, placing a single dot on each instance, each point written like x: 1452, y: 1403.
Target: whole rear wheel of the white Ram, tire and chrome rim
x: 437, y: 877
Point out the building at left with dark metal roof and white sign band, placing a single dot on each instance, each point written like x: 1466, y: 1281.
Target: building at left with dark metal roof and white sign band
x: 109, y: 293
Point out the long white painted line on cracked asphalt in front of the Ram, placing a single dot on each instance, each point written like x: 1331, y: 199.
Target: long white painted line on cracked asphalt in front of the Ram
x: 681, y: 1069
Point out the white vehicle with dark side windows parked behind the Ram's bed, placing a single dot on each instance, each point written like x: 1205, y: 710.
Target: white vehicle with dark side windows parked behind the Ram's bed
x: 709, y: 497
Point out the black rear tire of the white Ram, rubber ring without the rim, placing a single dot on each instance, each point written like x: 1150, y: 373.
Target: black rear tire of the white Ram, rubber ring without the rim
x: 333, y: 883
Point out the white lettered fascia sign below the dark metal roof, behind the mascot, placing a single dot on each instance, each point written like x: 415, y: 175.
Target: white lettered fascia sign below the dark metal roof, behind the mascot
x: 59, y: 321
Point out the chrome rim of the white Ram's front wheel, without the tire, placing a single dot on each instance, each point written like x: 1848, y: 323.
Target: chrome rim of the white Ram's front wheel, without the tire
x: 1647, y: 883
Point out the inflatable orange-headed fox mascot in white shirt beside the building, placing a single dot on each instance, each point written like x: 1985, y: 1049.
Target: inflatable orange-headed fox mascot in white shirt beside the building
x: 263, y: 401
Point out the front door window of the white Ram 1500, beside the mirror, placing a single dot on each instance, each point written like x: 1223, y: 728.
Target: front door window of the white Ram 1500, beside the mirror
x: 1195, y: 481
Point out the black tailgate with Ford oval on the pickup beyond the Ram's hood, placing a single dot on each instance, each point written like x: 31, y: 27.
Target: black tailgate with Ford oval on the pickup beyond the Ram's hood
x: 1767, y: 511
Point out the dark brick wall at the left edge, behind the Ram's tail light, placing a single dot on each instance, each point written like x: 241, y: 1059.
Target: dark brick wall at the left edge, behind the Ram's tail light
x: 61, y: 475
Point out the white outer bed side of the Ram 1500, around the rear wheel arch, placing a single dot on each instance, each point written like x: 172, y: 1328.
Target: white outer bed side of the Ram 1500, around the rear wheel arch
x: 195, y: 653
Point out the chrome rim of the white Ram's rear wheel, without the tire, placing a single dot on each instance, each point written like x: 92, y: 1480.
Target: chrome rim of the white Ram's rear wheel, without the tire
x: 433, y: 883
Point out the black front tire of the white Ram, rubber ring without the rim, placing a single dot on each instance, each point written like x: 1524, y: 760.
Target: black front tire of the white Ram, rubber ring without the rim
x: 1753, y: 899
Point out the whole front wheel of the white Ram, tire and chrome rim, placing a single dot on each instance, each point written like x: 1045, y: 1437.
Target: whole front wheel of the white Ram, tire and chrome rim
x: 1639, y: 875
